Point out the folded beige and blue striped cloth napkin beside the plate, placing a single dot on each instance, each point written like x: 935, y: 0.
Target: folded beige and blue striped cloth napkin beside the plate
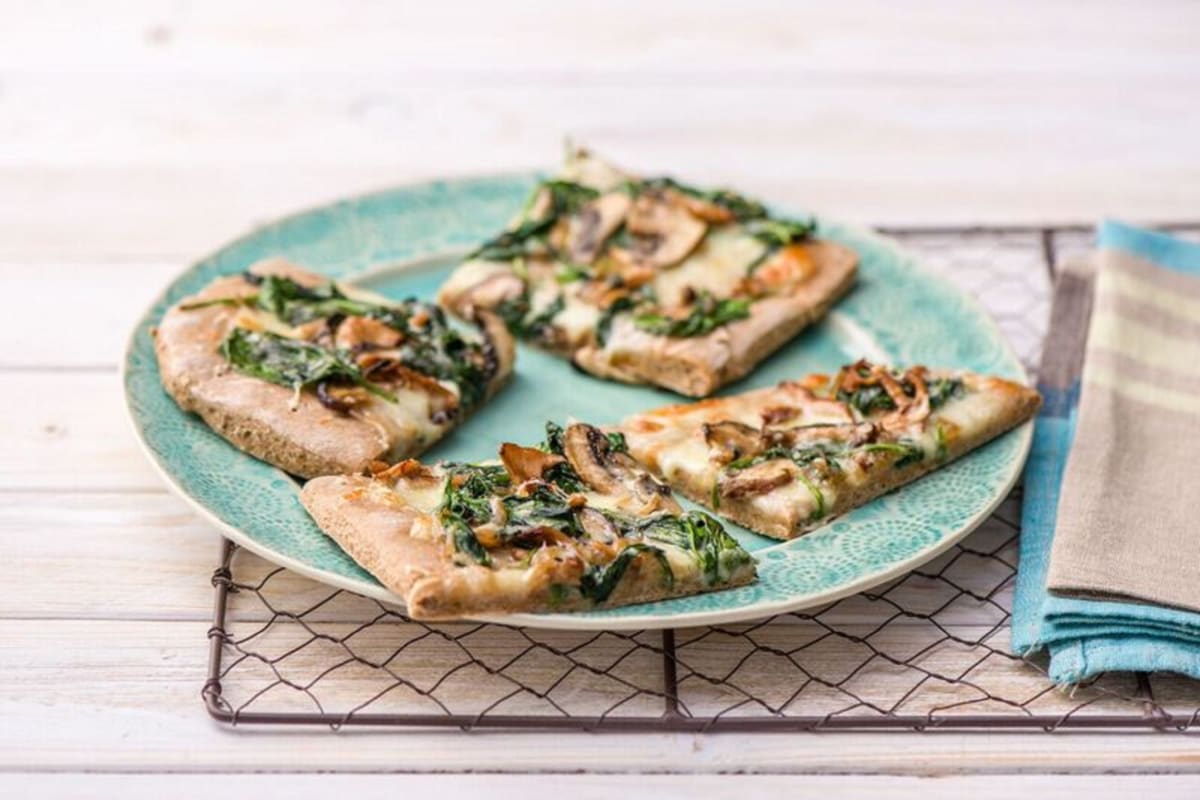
x: 1109, y: 573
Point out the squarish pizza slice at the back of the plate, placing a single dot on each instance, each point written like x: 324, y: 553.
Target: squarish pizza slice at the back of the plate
x: 651, y: 281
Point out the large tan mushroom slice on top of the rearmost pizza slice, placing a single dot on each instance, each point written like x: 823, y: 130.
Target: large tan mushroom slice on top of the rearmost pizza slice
x: 664, y: 231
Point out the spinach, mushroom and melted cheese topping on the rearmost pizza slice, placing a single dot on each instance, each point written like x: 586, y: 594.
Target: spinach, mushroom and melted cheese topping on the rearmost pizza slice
x: 614, y: 240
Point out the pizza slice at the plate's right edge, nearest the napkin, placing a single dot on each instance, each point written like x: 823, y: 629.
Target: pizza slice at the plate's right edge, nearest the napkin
x: 785, y: 460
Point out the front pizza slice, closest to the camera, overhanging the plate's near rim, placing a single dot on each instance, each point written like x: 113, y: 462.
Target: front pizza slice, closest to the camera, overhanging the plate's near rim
x: 572, y: 525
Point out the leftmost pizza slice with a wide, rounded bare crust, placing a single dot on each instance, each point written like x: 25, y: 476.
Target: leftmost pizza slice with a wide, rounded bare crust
x: 320, y: 378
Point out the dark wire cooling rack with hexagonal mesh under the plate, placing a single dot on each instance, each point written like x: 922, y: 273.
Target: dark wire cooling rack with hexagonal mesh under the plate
x: 925, y: 652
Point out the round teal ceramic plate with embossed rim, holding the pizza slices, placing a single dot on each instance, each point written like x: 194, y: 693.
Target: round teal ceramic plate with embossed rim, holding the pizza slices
x: 404, y: 243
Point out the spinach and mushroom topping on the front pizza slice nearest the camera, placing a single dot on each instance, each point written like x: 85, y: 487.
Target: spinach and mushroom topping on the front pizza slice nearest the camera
x: 538, y: 512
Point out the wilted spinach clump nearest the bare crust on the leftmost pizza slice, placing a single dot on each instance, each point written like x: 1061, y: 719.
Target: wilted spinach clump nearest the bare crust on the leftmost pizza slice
x: 291, y: 363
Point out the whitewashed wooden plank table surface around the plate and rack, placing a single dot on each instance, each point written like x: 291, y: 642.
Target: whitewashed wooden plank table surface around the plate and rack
x: 137, y: 137
